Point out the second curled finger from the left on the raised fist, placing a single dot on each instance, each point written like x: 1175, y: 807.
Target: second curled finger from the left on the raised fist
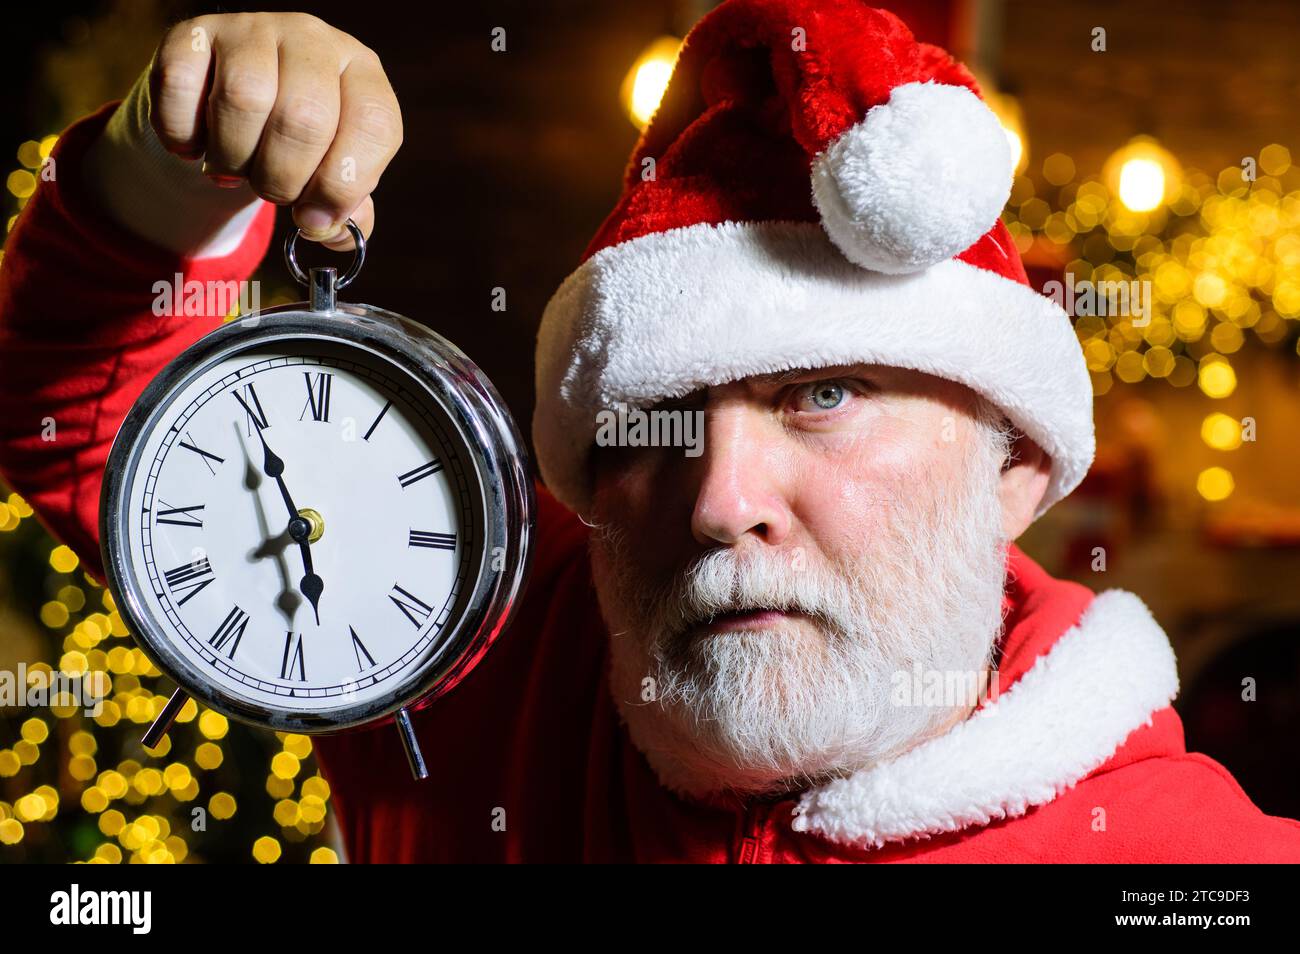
x: 244, y: 92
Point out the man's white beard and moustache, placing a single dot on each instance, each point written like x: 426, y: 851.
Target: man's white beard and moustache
x: 764, y: 712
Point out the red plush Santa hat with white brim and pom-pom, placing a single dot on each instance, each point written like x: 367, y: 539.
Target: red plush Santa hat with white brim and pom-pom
x: 816, y: 189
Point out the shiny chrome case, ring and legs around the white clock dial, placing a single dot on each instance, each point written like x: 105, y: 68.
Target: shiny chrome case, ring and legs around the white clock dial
x: 473, y: 414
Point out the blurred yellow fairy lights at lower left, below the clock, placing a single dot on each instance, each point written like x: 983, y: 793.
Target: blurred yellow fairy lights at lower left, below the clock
x: 67, y: 762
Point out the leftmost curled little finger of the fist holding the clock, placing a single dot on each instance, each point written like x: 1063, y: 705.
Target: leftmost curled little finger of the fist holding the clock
x: 179, y: 86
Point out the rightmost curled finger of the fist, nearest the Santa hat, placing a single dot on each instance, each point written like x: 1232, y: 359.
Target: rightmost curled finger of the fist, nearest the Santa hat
x: 370, y: 133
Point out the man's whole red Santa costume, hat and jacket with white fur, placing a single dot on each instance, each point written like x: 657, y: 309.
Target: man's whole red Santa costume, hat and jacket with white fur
x: 817, y: 189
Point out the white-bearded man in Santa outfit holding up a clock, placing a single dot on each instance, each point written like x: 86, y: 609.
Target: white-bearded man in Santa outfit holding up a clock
x: 807, y: 638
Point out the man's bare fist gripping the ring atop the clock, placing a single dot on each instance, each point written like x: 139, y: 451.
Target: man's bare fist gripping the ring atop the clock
x: 301, y: 110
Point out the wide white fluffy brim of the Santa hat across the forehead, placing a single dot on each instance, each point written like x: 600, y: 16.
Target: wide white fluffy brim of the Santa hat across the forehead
x: 666, y: 314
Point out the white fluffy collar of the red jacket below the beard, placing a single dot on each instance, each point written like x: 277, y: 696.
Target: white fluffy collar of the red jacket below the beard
x: 1061, y: 721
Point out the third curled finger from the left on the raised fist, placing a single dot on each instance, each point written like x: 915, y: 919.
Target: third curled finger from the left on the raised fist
x: 302, y: 124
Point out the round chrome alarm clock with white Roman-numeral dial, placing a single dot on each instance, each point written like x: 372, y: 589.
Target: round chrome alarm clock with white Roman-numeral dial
x: 318, y: 517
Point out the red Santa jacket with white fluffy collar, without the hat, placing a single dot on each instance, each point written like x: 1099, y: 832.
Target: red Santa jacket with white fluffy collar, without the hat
x: 1080, y: 758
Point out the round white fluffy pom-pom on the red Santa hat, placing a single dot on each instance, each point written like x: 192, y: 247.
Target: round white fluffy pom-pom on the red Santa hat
x: 920, y: 180
